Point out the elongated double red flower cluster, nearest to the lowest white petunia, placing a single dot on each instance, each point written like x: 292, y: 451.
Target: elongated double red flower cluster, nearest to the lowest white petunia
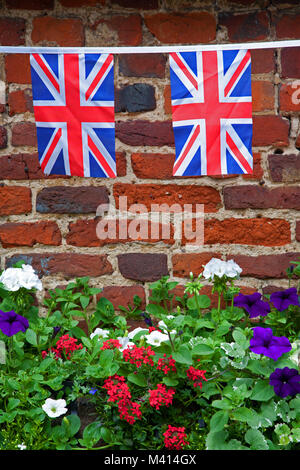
x: 119, y: 392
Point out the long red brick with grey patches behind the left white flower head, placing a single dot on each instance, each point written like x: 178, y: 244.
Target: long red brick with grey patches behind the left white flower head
x: 68, y: 264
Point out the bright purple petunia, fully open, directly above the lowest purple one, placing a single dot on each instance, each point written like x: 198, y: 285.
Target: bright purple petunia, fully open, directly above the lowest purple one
x: 263, y: 342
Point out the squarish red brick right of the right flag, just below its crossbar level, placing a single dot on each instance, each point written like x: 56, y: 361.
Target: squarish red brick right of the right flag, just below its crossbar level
x: 270, y: 130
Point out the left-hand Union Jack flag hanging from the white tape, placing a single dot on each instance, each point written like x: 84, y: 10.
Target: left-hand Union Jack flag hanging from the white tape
x: 73, y: 99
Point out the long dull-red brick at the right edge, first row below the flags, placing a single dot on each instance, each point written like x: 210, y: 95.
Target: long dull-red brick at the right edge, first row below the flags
x: 261, y: 197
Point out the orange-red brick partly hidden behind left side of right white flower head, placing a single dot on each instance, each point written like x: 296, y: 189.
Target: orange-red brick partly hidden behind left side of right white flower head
x: 184, y: 263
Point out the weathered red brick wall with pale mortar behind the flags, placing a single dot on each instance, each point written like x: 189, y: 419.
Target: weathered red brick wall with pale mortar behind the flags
x: 50, y: 221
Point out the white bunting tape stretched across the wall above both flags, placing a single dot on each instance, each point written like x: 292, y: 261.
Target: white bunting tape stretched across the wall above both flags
x: 148, y: 49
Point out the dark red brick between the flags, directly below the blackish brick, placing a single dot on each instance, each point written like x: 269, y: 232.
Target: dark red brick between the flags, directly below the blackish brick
x: 145, y: 133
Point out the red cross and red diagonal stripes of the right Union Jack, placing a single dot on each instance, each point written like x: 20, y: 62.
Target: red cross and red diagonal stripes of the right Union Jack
x: 212, y: 110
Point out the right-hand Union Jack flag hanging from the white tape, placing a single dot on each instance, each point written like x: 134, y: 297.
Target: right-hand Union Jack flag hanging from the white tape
x: 212, y: 112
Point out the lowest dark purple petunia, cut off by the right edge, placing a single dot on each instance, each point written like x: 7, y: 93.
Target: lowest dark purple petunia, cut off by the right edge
x: 285, y: 381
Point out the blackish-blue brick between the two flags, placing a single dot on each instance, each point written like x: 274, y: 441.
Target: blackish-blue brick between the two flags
x: 135, y: 98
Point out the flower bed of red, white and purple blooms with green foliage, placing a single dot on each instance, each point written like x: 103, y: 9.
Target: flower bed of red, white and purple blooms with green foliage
x: 191, y: 378
